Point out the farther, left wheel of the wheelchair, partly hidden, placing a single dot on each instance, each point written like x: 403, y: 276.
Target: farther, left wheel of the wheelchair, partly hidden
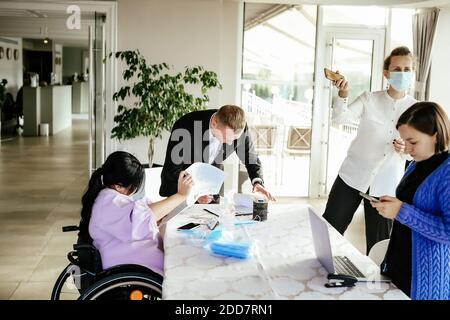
x: 67, y: 284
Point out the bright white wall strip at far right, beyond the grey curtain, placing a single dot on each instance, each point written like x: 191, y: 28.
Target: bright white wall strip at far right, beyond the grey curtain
x: 440, y: 69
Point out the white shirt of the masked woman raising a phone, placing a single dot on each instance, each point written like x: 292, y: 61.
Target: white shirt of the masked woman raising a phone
x: 371, y: 159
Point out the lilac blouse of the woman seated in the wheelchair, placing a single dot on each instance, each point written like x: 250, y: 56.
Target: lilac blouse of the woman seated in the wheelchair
x: 125, y: 231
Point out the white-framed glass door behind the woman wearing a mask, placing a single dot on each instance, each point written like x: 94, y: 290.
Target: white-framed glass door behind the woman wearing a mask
x: 357, y: 54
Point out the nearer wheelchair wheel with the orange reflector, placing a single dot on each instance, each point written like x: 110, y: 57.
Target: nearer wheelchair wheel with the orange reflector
x: 125, y: 286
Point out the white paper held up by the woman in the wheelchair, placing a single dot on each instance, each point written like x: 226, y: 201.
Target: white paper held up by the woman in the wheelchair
x: 207, y: 180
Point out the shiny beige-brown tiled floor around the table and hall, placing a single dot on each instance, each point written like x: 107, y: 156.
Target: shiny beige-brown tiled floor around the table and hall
x: 41, y: 183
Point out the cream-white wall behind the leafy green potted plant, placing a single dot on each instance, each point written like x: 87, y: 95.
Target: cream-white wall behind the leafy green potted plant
x: 182, y: 33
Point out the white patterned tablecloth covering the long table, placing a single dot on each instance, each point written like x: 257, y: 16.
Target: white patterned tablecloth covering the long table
x: 284, y: 265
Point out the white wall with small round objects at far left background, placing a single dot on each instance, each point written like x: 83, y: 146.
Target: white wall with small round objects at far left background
x: 11, y: 69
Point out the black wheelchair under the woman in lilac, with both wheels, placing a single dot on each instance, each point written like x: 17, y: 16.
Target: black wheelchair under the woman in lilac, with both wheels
x: 84, y: 278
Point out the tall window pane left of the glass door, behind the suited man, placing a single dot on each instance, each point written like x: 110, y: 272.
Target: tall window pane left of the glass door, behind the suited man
x: 277, y: 91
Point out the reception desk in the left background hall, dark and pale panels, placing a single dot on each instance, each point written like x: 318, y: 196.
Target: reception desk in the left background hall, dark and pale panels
x: 52, y: 105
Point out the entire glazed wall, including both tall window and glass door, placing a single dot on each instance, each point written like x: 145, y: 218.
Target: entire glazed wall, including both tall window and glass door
x: 277, y: 84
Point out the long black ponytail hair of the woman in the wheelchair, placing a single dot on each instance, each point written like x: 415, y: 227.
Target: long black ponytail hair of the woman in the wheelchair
x: 120, y: 168
